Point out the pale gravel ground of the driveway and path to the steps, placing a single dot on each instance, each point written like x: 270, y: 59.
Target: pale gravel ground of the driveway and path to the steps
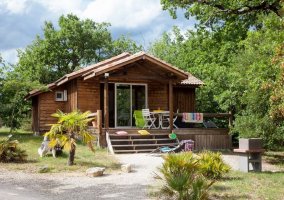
x: 123, y: 186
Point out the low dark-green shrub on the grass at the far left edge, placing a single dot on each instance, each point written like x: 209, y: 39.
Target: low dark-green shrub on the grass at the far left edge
x: 10, y: 152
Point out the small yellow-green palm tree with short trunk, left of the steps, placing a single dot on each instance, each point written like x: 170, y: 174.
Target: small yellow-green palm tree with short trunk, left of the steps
x: 69, y: 128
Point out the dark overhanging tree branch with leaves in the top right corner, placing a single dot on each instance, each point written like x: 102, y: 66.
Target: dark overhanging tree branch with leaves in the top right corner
x: 209, y: 12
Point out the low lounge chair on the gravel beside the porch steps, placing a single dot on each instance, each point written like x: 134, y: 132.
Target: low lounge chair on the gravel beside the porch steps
x: 184, y: 145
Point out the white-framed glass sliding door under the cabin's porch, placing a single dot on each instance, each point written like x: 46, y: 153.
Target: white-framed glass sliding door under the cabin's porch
x: 128, y: 97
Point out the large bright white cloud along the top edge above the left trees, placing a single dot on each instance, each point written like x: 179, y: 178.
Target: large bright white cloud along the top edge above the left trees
x: 127, y: 14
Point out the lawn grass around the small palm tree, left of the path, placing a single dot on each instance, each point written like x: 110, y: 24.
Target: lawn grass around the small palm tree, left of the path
x: 84, y: 157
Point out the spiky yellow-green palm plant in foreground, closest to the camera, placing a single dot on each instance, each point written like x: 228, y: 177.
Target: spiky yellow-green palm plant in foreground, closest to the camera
x: 181, y: 177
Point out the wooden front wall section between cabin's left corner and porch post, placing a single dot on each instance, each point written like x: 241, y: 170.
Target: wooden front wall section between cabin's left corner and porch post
x: 88, y: 95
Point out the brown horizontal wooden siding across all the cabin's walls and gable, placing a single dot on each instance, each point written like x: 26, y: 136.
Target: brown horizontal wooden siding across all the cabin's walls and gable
x: 85, y: 95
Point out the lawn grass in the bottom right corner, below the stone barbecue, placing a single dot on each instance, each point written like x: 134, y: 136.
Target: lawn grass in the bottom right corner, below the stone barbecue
x: 238, y: 185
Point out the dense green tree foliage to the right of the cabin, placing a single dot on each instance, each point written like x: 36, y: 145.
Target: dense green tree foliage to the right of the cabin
x: 238, y: 74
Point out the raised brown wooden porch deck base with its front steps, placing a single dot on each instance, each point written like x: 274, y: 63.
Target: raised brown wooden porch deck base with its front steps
x: 204, y: 138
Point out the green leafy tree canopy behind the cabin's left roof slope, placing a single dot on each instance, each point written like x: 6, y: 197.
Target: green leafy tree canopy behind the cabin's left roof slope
x: 74, y: 44
